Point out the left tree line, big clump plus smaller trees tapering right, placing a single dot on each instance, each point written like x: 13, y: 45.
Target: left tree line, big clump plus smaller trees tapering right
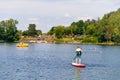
x: 10, y: 33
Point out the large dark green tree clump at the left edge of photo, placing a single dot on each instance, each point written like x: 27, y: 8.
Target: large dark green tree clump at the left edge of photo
x: 8, y: 30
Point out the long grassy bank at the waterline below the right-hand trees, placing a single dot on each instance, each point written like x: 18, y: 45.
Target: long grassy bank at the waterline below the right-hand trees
x: 88, y: 40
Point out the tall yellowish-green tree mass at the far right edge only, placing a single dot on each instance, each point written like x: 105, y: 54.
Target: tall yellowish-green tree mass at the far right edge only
x: 109, y: 27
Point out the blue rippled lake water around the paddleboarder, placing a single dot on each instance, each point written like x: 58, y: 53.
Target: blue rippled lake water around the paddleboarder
x: 53, y: 62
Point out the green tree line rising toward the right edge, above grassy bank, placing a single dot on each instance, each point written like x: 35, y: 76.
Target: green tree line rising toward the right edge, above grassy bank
x: 106, y: 29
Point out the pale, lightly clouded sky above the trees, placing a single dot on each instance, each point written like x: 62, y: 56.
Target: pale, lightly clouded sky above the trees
x: 48, y: 13
